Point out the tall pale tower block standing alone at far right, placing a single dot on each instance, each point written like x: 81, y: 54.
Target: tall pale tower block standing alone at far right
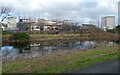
x: 107, y: 22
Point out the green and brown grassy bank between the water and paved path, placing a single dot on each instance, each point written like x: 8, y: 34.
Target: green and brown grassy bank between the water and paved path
x: 62, y: 62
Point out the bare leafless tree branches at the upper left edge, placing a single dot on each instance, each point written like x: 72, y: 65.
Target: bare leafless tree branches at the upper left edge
x: 4, y: 12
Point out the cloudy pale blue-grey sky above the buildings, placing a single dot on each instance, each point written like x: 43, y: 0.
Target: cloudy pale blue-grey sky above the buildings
x: 81, y: 11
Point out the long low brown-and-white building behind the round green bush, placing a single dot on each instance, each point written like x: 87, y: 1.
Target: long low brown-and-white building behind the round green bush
x: 37, y: 27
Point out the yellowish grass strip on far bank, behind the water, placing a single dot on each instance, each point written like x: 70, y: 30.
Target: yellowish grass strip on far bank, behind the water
x: 57, y: 37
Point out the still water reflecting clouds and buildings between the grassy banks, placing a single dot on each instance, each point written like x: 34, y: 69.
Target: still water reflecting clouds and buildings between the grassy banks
x: 30, y: 50
